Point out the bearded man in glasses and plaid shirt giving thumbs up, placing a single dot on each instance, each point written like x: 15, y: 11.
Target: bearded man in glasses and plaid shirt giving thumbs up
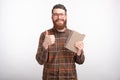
x: 59, y: 62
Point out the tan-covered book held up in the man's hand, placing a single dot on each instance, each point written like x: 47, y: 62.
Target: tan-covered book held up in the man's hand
x: 72, y: 39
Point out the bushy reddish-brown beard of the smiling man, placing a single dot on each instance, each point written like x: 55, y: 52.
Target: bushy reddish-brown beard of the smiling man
x: 59, y: 24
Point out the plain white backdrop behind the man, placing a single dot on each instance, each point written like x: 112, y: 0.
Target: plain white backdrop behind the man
x: 22, y: 21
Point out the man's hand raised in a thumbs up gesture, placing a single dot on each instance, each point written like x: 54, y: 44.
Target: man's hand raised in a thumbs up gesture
x: 49, y: 40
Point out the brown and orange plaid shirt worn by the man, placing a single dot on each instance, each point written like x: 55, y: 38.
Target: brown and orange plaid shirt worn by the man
x: 59, y: 62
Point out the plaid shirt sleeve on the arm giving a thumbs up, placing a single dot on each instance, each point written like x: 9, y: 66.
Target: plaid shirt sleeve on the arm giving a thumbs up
x: 42, y: 53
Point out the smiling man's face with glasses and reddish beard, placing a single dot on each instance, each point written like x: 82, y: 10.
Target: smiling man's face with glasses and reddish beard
x: 59, y: 18
